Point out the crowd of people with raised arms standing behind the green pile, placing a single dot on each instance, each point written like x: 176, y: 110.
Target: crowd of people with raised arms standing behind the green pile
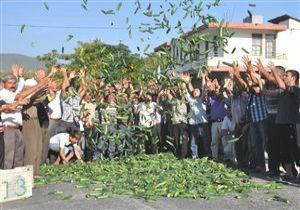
x: 253, y: 112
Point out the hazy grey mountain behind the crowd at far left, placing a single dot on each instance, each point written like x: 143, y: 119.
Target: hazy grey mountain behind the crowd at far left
x: 29, y: 63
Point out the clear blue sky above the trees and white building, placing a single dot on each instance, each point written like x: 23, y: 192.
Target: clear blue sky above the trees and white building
x: 46, y: 30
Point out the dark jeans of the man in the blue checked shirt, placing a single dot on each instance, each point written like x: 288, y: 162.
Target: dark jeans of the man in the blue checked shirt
x: 257, y: 141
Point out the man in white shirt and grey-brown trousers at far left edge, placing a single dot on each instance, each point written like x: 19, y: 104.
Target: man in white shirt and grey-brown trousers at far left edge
x: 12, y: 122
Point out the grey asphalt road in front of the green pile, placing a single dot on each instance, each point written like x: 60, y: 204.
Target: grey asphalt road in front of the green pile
x: 257, y: 200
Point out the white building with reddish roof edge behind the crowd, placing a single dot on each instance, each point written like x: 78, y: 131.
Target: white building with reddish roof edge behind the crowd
x: 277, y: 41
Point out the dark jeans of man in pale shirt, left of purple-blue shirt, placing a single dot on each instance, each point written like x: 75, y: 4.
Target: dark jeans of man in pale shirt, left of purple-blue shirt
x: 199, y: 135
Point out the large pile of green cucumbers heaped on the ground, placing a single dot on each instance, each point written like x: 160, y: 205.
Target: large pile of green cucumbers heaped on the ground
x: 149, y: 176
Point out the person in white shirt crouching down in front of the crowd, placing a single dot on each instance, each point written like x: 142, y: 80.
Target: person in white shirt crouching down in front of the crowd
x: 65, y: 144
